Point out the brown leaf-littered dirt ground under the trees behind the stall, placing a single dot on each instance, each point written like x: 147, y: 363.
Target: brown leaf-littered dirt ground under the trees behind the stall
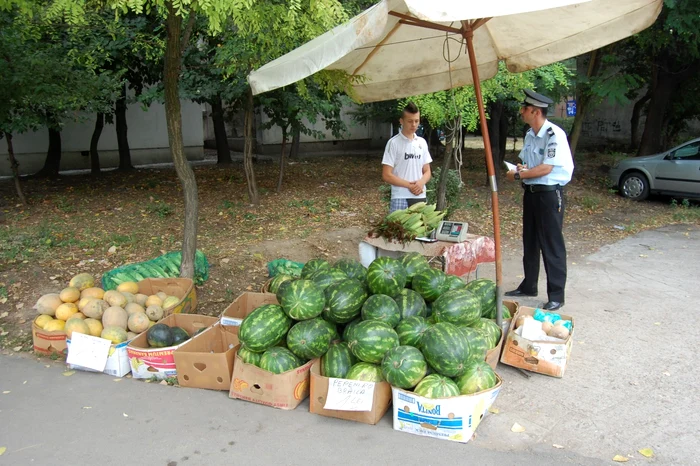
x: 84, y: 223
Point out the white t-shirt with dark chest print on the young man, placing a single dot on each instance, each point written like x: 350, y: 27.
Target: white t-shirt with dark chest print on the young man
x: 407, y: 157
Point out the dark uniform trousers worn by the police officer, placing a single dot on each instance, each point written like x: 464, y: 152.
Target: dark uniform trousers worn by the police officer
x: 543, y: 218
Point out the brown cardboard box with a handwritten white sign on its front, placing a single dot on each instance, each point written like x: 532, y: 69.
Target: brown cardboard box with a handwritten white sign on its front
x: 319, y: 391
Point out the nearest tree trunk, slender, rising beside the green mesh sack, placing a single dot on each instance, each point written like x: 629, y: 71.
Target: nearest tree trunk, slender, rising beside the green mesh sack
x: 173, y: 117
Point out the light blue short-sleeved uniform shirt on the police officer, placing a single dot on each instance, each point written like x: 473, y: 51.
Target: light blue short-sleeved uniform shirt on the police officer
x: 548, y: 146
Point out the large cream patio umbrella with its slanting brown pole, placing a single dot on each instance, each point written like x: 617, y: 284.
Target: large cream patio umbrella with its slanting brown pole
x: 400, y: 48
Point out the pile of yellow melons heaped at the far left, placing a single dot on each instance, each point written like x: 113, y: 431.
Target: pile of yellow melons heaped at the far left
x: 116, y: 315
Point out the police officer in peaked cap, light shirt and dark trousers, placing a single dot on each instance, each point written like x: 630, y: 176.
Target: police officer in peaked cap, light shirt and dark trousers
x: 546, y: 168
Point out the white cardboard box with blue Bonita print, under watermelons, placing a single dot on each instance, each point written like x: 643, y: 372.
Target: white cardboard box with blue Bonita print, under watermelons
x: 455, y: 418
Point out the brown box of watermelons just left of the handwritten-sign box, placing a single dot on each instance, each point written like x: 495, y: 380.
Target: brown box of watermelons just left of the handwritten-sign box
x: 283, y: 391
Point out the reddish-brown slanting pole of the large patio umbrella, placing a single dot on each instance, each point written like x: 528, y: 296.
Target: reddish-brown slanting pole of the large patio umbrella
x: 469, y: 36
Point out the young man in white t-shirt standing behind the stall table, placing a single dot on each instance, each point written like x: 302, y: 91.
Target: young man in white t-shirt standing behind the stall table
x: 406, y: 162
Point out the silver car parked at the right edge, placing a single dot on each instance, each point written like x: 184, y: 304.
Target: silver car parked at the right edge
x: 675, y: 172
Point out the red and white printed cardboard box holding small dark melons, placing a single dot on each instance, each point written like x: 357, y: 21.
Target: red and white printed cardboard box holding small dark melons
x: 159, y: 363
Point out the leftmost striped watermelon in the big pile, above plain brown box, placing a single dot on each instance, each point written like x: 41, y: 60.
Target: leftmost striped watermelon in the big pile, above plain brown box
x: 264, y: 328
